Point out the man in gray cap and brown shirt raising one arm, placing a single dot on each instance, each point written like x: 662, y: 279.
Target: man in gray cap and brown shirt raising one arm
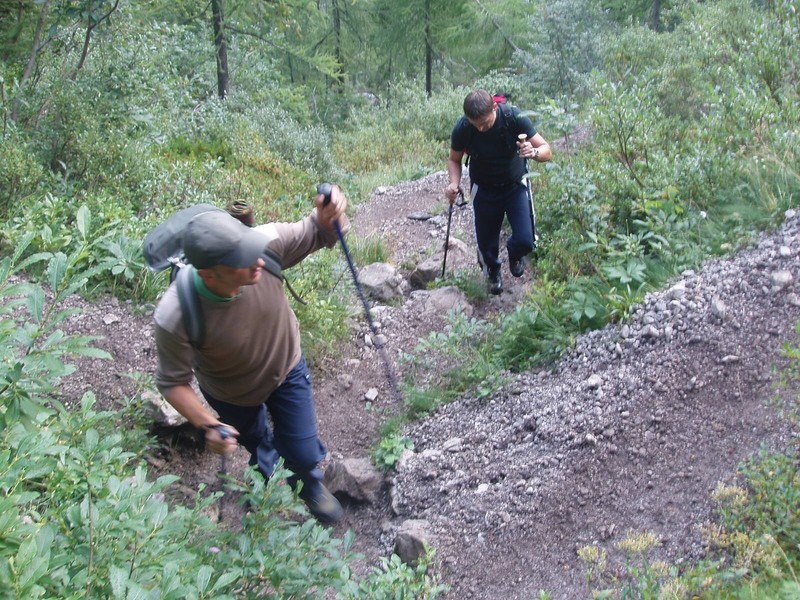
x: 250, y: 361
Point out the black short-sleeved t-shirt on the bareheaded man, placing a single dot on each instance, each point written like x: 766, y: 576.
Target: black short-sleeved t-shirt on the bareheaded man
x: 493, y: 161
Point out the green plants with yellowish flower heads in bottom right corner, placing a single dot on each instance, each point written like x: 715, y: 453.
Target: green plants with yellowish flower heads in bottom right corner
x: 754, y: 546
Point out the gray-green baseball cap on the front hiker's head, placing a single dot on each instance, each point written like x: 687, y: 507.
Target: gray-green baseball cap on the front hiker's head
x: 216, y: 238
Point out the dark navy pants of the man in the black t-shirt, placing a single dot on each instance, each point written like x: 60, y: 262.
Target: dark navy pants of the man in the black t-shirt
x: 490, y: 207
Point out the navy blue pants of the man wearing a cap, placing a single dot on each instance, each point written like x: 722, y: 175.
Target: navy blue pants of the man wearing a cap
x: 293, y: 434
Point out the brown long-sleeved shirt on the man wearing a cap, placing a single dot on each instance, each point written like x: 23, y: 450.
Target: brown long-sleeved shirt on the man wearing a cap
x: 252, y: 341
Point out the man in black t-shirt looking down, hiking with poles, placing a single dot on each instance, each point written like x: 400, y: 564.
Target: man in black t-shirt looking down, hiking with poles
x: 491, y: 134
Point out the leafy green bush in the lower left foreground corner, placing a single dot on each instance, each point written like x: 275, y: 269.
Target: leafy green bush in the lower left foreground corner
x: 80, y: 516
